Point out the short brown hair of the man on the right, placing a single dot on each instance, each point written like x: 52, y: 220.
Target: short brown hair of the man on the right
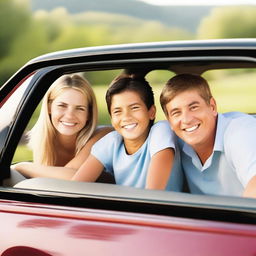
x: 184, y: 82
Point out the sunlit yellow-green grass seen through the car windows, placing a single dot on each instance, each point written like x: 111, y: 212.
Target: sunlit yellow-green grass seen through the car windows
x: 235, y: 92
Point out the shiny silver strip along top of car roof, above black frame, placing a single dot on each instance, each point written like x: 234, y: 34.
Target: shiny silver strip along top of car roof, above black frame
x: 191, y: 45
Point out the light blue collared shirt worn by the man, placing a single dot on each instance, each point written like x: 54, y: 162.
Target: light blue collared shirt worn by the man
x: 233, y: 161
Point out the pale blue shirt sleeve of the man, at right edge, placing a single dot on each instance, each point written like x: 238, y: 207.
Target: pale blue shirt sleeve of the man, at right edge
x: 240, y: 147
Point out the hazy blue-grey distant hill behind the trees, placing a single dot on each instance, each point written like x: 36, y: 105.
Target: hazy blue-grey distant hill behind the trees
x: 185, y: 17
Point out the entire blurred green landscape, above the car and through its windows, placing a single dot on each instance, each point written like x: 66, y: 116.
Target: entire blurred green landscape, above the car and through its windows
x: 30, y: 28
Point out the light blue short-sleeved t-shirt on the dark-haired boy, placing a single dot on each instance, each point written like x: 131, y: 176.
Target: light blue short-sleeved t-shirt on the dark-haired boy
x: 131, y: 170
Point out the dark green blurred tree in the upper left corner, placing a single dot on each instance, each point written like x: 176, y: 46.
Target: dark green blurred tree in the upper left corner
x: 21, y: 38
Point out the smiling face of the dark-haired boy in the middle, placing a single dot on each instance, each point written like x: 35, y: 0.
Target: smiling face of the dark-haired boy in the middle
x: 130, y: 116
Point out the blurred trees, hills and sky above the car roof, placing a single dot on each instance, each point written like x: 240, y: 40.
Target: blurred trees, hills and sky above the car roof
x: 33, y: 27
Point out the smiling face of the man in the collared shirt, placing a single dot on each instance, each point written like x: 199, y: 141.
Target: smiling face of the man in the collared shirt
x: 192, y: 119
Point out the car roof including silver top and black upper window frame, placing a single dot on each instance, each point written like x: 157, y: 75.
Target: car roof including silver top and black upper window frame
x: 193, y: 56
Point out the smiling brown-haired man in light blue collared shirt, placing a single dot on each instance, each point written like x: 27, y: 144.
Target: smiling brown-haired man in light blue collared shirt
x: 218, y: 151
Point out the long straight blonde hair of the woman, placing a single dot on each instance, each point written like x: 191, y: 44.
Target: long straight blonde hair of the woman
x: 42, y: 135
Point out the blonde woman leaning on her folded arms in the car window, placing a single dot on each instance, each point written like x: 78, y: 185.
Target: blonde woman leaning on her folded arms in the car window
x: 65, y: 130
